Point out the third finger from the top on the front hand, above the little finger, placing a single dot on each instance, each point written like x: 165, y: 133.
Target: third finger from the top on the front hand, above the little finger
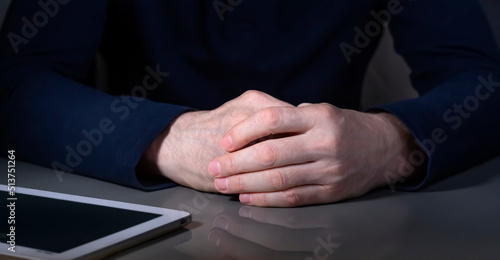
x: 268, y: 180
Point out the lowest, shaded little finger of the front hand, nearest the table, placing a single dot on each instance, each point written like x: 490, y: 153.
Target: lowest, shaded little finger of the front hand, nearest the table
x: 296, y: 196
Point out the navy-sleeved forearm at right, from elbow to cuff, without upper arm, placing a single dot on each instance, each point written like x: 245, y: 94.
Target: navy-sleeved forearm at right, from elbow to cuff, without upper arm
x: 452, y: 122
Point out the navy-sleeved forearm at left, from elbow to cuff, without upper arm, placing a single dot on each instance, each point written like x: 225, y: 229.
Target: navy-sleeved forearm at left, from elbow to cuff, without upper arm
x: 58, y: 123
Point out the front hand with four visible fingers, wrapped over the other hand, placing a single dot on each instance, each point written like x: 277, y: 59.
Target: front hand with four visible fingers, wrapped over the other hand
x: 330, y: 154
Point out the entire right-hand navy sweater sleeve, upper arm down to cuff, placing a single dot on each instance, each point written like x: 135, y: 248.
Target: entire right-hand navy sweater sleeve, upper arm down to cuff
x: 455, y: 66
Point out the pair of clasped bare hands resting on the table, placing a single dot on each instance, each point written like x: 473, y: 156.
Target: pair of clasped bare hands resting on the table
x: 276, y: 155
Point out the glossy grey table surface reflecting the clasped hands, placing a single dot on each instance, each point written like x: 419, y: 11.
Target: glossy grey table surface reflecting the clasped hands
x: 457, y: 218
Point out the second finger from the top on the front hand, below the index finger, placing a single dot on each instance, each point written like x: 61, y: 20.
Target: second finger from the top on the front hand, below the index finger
x: 262, y: 156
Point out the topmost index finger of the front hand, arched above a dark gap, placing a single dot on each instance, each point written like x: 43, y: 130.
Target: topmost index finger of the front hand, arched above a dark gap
x: 270, y: 120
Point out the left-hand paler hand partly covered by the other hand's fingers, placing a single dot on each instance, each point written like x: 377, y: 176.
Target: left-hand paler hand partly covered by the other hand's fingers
x: 184, y: 149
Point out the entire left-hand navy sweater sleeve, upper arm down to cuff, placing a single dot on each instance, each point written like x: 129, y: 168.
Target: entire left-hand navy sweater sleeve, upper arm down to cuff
x: 51, y: 117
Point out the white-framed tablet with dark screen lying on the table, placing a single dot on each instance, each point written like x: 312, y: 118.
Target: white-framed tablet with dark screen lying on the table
x: 39, y: 224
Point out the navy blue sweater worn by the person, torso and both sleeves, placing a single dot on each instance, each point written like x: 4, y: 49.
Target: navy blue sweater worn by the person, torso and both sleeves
x: 176, y: 55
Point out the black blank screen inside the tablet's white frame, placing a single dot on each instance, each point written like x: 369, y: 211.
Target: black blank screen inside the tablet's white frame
x: 58, y: 225
